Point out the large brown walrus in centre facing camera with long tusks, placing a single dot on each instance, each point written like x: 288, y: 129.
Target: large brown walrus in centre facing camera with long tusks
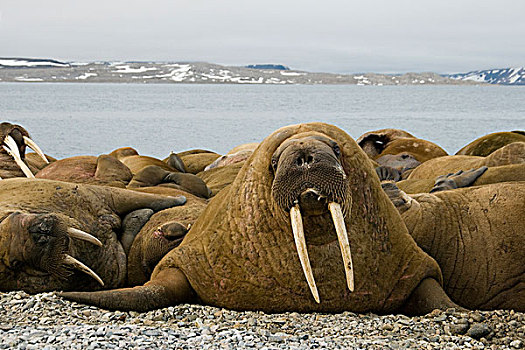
x: 305, y: 226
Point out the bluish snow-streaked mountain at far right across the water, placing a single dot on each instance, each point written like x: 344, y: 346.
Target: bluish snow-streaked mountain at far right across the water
x: 504, y: 76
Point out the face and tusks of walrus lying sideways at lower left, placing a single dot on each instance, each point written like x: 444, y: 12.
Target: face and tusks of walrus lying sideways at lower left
x: 38, y: 245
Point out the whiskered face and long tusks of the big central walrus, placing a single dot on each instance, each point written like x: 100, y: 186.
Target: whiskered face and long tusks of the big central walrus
x: 309, y: 180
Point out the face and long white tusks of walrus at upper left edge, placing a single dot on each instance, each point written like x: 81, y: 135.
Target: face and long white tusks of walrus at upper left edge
x: 14, y: 140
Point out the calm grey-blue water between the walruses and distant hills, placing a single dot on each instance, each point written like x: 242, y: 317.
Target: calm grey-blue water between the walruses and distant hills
x: 92, y: 119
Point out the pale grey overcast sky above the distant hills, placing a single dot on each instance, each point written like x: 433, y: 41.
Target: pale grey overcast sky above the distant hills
x: 324, y: 35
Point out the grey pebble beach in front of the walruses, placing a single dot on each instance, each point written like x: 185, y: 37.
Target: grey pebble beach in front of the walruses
x: 45, y: 321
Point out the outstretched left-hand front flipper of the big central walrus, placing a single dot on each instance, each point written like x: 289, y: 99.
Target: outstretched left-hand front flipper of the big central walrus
x: 170, y: 287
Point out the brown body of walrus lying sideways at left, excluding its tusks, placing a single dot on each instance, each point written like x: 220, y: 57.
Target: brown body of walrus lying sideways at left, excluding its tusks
x: 35, y: 215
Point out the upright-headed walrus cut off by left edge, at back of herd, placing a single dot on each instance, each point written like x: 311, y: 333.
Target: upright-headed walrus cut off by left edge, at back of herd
x: 14, y: 140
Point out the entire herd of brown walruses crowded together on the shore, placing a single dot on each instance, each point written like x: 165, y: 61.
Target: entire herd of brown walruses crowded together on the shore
x: 307, y: 220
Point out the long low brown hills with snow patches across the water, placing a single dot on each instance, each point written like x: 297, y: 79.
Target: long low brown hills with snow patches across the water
x: 48, y: 70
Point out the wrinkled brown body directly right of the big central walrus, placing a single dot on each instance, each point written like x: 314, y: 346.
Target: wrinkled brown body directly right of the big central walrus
x: 477, y: 236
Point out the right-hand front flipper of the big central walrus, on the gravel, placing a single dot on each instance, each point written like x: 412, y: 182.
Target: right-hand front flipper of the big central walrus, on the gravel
x: 427, y: 296
